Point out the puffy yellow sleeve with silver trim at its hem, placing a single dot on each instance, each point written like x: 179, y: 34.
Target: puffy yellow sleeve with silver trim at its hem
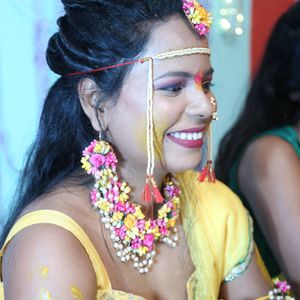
x: 230, y: 229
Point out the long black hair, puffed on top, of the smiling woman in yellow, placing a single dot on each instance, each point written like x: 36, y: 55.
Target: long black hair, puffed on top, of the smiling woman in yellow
x: 92, y: 34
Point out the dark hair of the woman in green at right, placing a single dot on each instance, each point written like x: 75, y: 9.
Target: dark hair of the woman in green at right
x: 271, y: 101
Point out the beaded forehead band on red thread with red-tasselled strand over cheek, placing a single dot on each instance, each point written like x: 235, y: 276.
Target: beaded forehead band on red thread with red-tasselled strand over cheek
x: 151, y: 191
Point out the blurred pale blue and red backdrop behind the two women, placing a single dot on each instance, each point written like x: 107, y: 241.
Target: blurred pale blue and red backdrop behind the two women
x: 240, y: 30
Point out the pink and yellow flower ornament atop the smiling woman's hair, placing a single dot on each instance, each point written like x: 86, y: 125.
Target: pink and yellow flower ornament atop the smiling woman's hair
x: 198, y: 16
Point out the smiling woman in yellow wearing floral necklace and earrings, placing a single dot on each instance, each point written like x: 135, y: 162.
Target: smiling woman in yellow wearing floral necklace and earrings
x: 195, y: 245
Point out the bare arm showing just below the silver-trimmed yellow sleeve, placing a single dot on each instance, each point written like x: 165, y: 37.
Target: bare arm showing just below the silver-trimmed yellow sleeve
x: 250, y: 285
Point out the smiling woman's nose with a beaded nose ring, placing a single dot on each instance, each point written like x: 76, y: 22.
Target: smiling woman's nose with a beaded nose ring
x: 201, y: 105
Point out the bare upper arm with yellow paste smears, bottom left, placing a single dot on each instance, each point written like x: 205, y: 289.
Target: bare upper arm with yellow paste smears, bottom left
x: 47, y: 262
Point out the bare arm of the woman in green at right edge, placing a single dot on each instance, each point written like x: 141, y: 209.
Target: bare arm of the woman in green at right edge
x: 269, y: 176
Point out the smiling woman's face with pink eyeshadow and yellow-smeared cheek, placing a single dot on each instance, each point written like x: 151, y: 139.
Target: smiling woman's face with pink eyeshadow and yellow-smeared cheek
x: 182, y: 111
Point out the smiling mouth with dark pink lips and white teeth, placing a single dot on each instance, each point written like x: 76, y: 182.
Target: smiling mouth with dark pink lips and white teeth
x: 189, y: 138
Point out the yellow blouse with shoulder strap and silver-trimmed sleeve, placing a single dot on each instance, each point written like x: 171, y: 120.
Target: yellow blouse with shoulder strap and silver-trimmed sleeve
x: 217, y: 227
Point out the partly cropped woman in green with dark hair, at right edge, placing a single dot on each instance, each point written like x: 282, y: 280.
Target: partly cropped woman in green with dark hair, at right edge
x: 259, y: 156
